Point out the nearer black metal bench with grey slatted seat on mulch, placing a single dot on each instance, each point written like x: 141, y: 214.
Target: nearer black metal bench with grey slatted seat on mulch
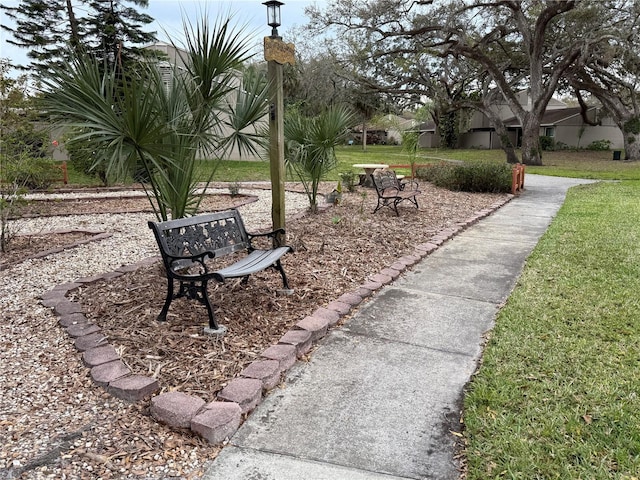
x: 189, y: 245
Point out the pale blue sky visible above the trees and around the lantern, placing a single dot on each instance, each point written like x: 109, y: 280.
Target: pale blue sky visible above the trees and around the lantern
x: 168, y: 15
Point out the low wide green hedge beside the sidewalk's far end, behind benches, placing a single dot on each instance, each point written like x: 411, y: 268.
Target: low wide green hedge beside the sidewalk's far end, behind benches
x: 477, y: 177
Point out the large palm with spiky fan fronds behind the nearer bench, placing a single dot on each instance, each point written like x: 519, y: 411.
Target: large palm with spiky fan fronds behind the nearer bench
x: 161, y: 128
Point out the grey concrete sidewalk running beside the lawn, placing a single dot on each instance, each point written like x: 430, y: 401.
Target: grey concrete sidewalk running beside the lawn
x: 381, y: 395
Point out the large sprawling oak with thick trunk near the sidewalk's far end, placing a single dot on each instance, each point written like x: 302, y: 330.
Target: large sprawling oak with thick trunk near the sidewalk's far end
x: 475, y: 53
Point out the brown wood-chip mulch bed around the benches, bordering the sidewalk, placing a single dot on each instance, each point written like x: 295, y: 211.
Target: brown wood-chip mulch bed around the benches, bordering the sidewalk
x: 335, y: 252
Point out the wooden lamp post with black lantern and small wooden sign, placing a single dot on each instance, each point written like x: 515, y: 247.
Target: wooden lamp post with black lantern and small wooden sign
x: 276, y: 53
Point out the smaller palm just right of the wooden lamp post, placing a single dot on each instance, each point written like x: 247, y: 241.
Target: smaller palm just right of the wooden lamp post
x: 310, y: 146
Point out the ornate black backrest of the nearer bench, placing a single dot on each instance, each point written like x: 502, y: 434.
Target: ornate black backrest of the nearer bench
x: 221, y: 233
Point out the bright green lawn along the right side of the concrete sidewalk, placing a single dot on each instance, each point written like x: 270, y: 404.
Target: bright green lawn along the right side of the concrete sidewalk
x: 558, y: 391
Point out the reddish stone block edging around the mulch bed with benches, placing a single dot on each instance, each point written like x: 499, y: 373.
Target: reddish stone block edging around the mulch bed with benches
x: 217, y: 421
